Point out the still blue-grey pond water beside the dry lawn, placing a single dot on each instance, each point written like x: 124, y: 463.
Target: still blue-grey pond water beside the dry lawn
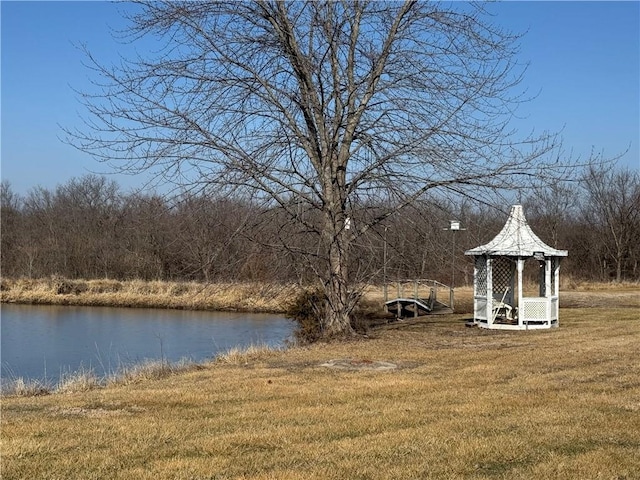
x: 44, y: 342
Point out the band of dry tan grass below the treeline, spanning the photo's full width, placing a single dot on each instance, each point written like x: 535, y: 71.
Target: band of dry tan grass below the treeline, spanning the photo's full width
x: 254, y: 297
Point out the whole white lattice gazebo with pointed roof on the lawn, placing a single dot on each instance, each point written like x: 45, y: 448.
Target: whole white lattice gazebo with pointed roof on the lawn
x: 498, y: 294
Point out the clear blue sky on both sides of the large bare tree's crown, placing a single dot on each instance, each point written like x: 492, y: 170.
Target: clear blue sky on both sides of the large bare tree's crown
x: 584, y: 67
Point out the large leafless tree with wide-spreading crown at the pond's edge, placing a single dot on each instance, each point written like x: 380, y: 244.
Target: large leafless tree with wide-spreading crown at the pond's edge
x: 319, y: 107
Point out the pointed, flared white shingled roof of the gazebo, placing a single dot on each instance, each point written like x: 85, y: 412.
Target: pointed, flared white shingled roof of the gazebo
x: 516, y: 239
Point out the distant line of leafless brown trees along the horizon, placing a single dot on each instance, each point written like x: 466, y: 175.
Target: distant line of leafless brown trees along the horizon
x: 88, y: 228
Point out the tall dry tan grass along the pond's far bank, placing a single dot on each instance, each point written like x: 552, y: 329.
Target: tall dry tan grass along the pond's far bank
x: 248, y: 297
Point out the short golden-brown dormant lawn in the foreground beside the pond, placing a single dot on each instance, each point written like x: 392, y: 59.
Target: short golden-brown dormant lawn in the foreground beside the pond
x: 426, y: 398
